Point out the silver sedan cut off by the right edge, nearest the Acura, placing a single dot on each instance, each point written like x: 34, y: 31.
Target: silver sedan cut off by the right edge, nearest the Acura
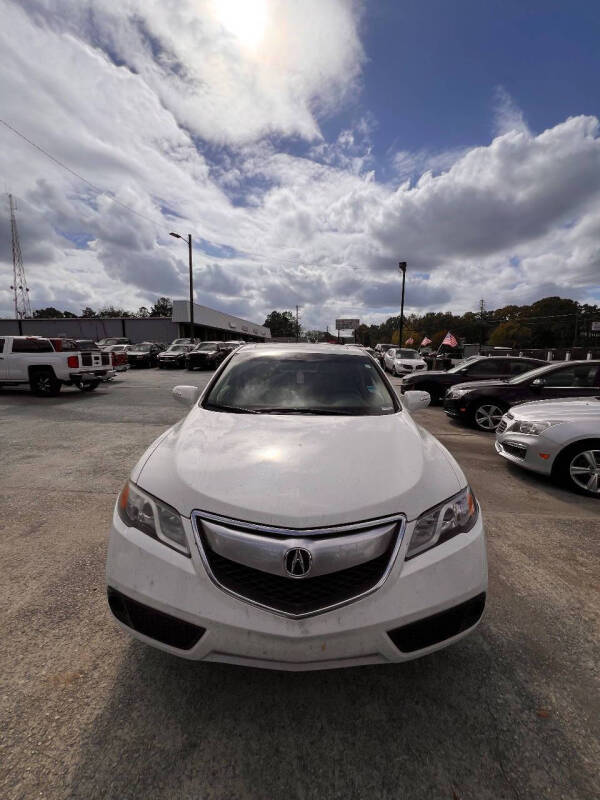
x: 558, y: 438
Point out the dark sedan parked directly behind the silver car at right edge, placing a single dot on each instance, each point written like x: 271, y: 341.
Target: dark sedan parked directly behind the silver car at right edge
x: 483, y: 404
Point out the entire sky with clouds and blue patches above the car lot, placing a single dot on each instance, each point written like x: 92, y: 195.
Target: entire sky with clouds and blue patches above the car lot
x: 307, y: 146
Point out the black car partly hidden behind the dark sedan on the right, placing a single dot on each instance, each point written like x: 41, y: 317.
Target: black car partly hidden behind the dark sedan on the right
x: 475, y: 368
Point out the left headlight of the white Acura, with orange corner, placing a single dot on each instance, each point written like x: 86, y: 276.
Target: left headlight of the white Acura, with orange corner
x: 149, y: 515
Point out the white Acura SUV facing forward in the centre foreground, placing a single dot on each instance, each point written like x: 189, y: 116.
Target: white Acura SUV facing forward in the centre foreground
x: 297, y: 518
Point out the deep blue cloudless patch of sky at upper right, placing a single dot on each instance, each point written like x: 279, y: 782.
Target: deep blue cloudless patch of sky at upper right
x: 433, y: 67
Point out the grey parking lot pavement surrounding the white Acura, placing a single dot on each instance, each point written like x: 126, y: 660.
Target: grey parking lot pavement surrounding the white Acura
x: 511, y: 712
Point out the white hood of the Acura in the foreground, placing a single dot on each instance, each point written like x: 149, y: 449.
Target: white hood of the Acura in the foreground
x: 298, y: 471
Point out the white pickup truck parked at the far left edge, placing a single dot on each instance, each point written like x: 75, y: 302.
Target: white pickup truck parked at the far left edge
x: 35, y: 361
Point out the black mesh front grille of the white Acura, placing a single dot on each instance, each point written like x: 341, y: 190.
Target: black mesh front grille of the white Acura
x: 299, y: 597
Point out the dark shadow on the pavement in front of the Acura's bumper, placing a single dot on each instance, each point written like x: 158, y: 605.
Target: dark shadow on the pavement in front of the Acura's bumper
x: 454, y: 725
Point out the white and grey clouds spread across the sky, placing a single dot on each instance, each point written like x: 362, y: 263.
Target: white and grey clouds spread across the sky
x: 190, y: 127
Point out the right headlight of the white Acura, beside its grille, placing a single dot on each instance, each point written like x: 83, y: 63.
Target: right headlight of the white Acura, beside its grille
x: 454, y: 516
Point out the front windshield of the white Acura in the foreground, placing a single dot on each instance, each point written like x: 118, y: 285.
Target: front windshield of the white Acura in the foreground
x: 309, y: 383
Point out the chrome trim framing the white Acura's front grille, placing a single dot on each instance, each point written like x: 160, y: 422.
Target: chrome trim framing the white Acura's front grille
x: 291, y: 536
